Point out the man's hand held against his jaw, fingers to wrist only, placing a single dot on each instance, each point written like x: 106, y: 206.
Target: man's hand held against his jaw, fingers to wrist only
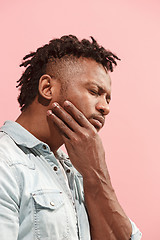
x: 81, y: 139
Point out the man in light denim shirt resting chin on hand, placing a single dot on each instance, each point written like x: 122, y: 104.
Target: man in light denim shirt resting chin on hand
x: 64, y: 97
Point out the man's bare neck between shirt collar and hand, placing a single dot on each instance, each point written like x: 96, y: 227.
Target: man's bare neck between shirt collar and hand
x: 36, y: 122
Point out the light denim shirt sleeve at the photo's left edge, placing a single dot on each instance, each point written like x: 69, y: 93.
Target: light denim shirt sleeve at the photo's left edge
x: 9, y: 203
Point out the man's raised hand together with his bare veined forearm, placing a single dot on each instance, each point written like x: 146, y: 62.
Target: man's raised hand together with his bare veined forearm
x: 86, y: 152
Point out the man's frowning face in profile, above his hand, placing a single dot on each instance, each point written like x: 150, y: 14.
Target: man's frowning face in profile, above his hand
x: 89, y: 89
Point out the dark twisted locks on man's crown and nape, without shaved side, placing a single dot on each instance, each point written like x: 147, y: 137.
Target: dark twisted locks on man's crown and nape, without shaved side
x: 69, y: 45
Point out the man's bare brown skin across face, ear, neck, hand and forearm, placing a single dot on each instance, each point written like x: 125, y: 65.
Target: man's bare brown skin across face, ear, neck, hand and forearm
x: 74, y: 118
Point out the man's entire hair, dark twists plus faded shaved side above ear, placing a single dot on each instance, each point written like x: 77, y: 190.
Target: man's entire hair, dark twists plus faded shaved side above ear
x: 59, y: 59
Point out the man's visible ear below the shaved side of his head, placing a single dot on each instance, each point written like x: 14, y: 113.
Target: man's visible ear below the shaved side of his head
x: 45, y: 87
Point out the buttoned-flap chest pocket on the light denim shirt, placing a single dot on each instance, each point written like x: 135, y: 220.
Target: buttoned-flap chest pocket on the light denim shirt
x: 50, y: 216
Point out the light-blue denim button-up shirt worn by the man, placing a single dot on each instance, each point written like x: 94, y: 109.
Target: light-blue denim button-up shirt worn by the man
x: 41, y: 195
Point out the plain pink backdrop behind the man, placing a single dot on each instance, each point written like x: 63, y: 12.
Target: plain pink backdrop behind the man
x: 132, y: 132
